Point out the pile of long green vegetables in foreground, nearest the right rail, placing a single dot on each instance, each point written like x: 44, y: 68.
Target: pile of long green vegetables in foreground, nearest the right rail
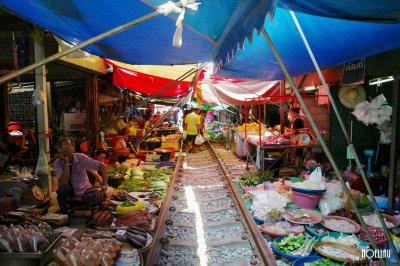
x: 298, y: 245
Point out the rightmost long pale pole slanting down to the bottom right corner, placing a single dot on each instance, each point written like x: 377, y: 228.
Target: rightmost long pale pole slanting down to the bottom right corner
x: 352, y: 148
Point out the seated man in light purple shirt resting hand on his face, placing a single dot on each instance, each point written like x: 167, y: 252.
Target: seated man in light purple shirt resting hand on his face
x: 71, y: 169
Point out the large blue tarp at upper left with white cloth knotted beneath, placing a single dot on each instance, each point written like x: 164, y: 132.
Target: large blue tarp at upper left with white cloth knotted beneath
x: 210, y: 34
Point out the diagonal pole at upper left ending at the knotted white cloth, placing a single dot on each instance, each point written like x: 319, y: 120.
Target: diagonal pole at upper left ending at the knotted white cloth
x: 97, y: 38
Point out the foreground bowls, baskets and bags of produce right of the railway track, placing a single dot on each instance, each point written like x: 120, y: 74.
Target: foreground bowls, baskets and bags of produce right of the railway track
x: 307, y: 220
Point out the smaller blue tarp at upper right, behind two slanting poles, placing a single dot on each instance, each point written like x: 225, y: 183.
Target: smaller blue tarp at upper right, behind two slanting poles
x: 333, y: 41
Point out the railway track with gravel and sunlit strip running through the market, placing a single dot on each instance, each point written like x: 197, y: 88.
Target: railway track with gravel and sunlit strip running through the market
x: 203, y: 220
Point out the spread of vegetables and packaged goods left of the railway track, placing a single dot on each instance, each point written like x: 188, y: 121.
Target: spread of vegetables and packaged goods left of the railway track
x: 121, y: 233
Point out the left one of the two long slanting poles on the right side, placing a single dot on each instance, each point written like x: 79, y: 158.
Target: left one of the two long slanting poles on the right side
x: 320, y: 138
